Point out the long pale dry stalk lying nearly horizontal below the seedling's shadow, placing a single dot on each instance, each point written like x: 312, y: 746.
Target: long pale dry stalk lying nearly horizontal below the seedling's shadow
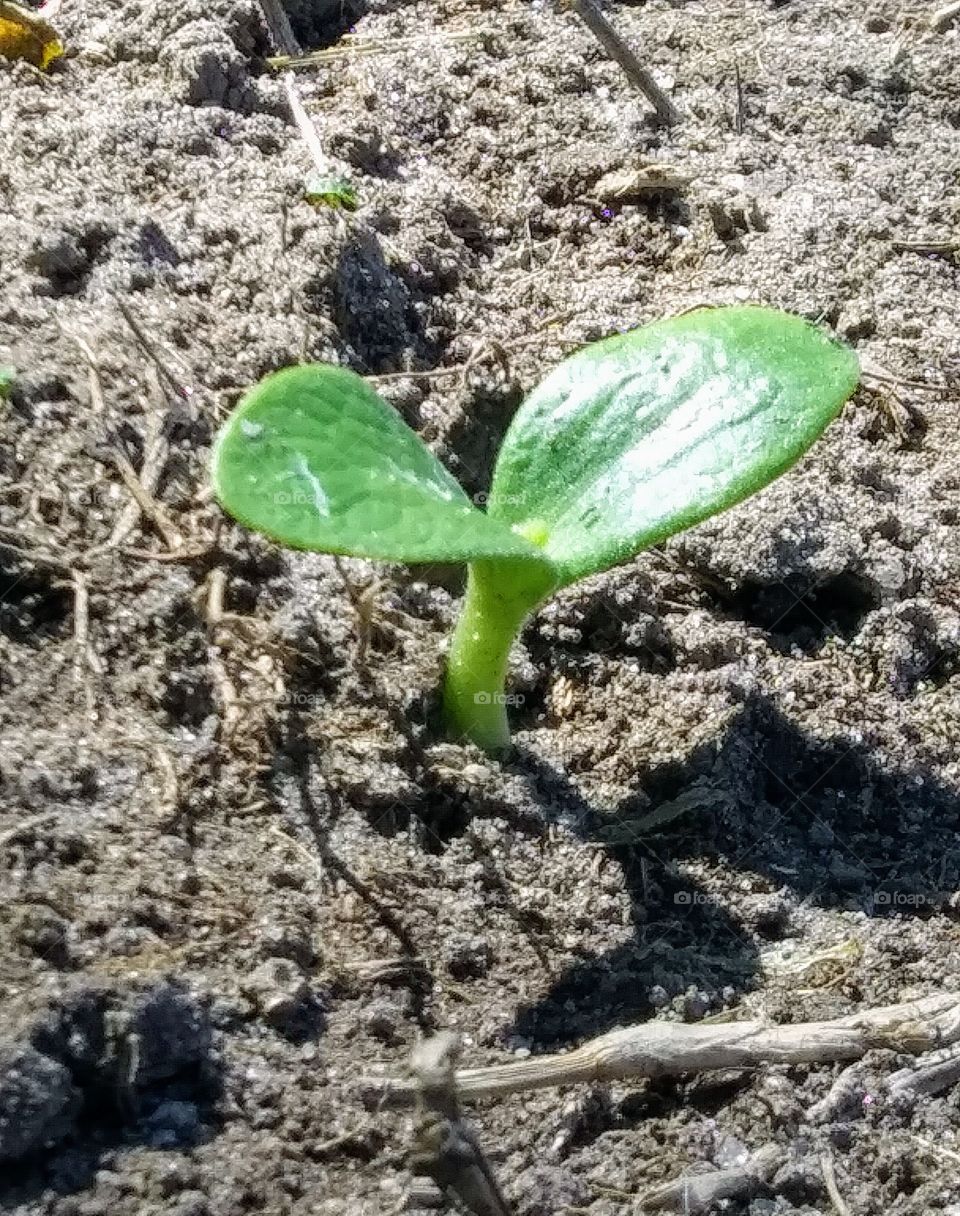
x: 670, y: 1050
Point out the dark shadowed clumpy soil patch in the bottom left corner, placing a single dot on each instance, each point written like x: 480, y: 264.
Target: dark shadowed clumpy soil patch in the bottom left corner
x: 103, y: 1071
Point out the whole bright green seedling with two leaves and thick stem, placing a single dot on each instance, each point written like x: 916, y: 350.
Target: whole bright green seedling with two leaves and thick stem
x: 626, y: 443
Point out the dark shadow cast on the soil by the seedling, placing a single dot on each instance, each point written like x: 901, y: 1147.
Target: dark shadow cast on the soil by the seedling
x: 818, y: 818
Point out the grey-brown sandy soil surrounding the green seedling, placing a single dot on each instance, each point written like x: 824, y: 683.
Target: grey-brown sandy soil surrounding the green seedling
x: 239, y: 869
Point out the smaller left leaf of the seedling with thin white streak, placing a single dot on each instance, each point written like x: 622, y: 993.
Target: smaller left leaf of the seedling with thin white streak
x: 317, y: 460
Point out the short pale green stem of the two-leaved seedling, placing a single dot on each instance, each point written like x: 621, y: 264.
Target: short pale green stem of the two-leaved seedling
x: 499, y: 598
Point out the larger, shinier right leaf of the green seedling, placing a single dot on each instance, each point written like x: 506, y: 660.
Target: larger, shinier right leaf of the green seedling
x: 648, y: 434
